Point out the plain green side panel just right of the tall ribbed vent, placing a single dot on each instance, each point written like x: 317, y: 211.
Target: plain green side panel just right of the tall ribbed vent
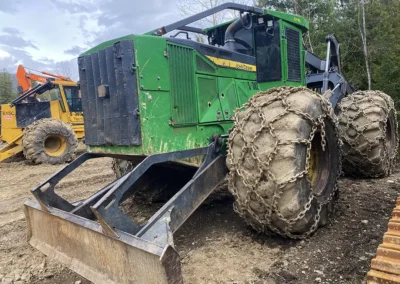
x: 209, y: 104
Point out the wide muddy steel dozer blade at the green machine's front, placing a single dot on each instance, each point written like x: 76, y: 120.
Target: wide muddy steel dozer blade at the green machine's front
x: 80, y: 244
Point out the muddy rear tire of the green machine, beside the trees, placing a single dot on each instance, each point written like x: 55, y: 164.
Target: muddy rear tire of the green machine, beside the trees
x: 368, y: 129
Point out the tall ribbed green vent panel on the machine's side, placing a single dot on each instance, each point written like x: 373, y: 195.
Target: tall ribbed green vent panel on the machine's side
x: 183, y: 96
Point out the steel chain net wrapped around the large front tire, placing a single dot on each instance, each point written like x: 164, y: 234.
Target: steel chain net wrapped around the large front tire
x: 283, y: 94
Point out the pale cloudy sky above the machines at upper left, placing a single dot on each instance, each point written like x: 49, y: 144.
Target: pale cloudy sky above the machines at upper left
x: 39, y: 33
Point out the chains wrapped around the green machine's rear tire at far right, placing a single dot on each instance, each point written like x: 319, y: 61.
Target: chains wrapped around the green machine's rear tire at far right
x: 390, y: 163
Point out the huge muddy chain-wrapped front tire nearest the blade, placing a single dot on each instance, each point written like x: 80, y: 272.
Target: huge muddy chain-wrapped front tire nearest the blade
x: 281, y: 177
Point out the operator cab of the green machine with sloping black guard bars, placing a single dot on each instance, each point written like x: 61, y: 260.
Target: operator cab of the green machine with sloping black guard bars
x: 273, y: 39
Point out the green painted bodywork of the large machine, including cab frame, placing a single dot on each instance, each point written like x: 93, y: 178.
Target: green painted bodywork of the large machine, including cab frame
x: 184, y: 97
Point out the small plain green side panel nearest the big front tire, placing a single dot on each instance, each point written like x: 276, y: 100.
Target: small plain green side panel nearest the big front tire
x: 228, y: 97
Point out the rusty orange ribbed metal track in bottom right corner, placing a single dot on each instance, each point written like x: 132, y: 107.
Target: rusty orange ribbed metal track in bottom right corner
x: 385, y: 267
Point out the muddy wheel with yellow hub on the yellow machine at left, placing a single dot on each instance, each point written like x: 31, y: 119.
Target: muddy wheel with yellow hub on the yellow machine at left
x: 49, y: 141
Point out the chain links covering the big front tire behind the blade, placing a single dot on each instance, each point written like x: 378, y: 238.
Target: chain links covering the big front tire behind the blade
x: 252, y: 181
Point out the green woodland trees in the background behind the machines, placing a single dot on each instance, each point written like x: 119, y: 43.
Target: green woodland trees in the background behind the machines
x: 366, y: 29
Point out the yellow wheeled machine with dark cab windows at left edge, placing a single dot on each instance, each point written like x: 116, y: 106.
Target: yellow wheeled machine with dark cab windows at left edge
x: 45, y: 121
